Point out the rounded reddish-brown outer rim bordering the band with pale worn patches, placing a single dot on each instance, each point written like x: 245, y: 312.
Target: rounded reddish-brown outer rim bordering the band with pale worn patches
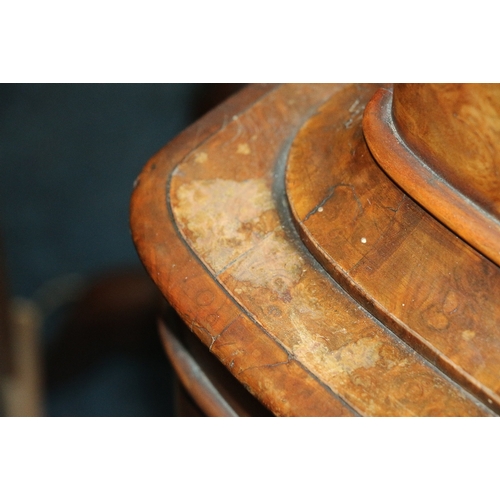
x: 222, y: 326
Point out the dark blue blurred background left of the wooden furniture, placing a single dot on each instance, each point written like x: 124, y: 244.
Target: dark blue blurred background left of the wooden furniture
x: 68, y: 157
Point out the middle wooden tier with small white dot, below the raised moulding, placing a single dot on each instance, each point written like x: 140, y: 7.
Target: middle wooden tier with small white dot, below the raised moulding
x: 426, y: 284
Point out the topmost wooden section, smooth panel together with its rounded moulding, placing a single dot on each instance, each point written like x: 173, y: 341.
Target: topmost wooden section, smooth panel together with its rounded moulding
x: 447, y: 160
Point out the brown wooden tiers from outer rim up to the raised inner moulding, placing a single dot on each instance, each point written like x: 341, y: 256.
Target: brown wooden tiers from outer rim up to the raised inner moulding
x: 312, y: 277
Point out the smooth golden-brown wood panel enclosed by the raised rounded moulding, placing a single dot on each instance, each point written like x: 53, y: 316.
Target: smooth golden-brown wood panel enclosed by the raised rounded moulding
x: 455, y: 129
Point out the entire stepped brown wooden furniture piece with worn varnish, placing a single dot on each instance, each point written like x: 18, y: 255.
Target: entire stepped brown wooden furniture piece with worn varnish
x: 336, y: 249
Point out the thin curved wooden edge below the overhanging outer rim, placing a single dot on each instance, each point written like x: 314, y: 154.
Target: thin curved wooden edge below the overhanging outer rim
x: 199, y: 386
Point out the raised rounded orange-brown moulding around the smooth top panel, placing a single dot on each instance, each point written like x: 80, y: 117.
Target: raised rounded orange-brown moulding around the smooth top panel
x: 419, y: 181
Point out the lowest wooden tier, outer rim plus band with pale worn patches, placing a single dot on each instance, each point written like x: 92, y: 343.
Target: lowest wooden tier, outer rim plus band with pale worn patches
x: 210, y: 222
